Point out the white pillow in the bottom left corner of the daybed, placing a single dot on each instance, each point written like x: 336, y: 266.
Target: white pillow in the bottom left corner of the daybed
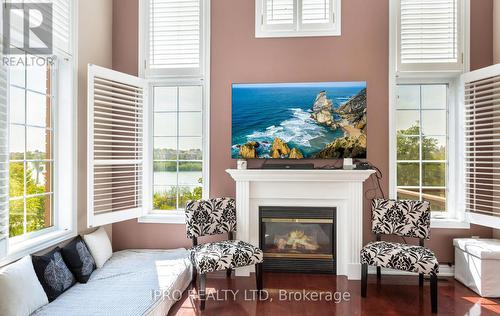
x: 20, y: 291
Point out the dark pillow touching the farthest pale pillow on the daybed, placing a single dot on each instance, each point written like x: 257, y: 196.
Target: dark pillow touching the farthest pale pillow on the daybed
x: 78, y: 259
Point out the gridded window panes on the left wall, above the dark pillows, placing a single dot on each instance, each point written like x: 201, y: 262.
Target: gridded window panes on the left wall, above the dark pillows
x: 31, y: 155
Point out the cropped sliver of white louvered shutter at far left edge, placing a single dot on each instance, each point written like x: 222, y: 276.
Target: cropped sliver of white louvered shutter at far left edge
x: 4, y: 157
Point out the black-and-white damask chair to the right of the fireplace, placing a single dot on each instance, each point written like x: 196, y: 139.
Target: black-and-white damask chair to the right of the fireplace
x: 404, y: 219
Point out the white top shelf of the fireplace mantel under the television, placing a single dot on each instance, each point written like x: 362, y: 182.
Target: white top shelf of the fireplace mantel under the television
x: 299, y: 174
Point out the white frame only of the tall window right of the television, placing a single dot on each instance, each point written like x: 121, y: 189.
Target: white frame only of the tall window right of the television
x: 455, y: 216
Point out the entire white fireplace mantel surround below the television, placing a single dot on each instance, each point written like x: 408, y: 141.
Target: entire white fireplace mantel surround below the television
x: 342, y: 189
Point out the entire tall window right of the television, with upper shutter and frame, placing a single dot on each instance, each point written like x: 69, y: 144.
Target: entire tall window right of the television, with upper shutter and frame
x: 428, y: 52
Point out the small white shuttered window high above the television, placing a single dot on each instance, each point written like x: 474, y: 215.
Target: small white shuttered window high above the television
x: 291, y: 18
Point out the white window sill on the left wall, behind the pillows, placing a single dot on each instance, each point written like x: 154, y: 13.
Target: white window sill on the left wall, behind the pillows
x: 33, y: 245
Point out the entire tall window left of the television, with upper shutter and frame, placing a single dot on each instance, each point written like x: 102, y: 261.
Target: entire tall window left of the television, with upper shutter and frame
x: 174, y: 57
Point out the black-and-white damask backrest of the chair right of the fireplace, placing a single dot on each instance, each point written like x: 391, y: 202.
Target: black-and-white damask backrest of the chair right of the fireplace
x: 403, y: 218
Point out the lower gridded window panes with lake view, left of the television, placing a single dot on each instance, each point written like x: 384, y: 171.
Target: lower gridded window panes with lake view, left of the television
x: 178, y: 146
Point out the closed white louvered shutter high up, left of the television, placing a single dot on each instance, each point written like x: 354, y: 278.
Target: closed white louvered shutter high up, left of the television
x: 175, y: 36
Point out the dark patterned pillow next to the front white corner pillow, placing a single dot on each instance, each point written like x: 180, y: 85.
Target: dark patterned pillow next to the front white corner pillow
x: 53, y: 273
